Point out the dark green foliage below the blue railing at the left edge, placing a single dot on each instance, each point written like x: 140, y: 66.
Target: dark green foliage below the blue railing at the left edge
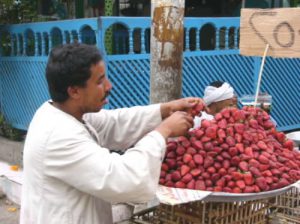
x: 7, y: 131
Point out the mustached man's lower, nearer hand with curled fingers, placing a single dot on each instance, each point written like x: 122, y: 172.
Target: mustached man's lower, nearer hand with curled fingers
x: 175, y: 125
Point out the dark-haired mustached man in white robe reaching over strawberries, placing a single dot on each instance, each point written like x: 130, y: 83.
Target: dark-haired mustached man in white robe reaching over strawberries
x: 70, y: 174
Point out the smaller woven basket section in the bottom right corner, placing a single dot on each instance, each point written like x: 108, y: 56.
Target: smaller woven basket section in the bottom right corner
x: 286, y: 208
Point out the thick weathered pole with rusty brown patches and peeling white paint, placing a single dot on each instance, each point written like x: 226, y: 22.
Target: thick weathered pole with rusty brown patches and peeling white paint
x: 166, y: 50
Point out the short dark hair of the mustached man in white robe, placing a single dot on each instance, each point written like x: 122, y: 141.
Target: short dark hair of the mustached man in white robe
x: 69, y: 65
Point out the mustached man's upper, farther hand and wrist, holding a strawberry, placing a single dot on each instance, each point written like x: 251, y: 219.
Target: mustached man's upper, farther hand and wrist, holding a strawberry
x: 184, y: 104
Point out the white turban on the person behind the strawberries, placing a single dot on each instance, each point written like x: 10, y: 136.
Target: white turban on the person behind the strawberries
x: 213, y: 94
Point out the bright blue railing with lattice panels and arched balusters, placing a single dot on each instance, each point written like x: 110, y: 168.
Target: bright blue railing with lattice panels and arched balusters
x: 210, y: 53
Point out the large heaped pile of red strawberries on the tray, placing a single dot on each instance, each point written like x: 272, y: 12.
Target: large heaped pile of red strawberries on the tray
x: 239, y: 151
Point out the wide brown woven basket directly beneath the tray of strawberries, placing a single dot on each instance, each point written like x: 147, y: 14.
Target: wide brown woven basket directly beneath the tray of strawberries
x: 250, y: 212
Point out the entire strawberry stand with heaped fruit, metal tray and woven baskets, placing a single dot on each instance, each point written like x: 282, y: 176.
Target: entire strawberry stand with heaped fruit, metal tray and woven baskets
x: 236, y: 168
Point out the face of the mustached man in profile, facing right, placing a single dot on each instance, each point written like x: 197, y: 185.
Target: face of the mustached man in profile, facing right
x: 94, y: 94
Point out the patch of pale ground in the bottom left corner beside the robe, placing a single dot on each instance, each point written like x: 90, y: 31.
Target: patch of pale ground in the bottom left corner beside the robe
x: 9, y: 212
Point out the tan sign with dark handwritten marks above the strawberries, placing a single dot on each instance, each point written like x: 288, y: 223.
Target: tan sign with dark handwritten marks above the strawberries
x: 280, y: 28
